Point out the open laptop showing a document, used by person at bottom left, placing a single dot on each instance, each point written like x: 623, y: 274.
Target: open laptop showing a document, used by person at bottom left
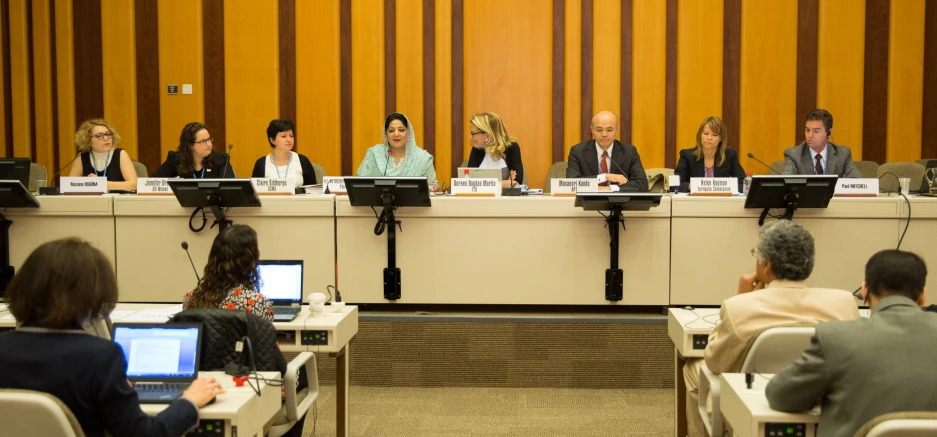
x: 162, y: 360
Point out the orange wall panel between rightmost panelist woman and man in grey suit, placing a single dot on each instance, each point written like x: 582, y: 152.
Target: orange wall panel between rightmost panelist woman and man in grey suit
x: 768, y: 79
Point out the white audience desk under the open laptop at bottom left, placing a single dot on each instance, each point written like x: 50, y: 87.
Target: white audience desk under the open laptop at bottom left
x: 237, y: 412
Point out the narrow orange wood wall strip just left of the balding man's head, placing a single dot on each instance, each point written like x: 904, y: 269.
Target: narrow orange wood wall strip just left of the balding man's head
x: 573, y: 75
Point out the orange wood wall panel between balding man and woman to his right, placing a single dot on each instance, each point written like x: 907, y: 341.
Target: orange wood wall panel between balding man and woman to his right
x: 648, y: 81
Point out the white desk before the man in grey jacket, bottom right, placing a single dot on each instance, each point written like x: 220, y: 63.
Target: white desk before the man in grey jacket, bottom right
x: 748, y: 412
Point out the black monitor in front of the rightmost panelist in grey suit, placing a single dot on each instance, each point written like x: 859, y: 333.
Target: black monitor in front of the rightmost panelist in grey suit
x: 807, y: 191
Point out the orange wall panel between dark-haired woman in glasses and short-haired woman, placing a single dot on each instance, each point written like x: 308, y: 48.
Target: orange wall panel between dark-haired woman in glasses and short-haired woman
x: 252, y: 78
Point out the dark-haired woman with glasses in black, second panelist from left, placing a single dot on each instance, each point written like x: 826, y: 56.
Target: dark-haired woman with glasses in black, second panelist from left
x: 194, y: 158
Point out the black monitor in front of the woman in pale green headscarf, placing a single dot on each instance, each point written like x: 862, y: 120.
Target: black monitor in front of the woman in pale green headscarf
x: 404, y: 191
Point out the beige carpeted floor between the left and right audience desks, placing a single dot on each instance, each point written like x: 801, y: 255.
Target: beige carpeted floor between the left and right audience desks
x: 499, y: 411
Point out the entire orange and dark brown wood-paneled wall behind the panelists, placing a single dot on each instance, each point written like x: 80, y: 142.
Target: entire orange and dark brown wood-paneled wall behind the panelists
x: 336, y: 67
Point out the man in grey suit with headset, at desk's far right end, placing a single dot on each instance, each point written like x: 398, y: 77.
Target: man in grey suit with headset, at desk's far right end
x: 816, y: 155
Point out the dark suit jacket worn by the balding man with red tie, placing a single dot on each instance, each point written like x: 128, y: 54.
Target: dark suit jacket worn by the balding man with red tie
x: 583, y: 163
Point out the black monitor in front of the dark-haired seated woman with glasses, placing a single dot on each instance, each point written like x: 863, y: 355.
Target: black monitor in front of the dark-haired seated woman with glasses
x: 204, y: 193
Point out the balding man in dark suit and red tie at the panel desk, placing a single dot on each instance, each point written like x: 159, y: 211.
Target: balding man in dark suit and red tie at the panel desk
x: 604, y: 155
